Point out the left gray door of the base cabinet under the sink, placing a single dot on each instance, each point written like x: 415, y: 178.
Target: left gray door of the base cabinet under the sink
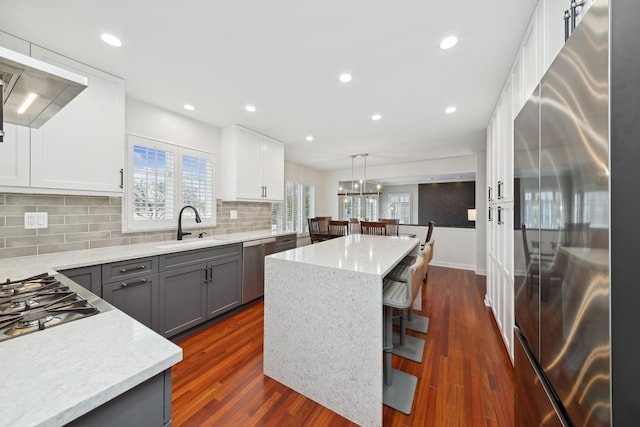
x: 183, y: 298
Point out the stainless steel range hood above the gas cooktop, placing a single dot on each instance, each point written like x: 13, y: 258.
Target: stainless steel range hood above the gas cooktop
x: 23, y: 77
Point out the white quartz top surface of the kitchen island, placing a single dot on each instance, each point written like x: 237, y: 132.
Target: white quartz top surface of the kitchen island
x: 357, y: 252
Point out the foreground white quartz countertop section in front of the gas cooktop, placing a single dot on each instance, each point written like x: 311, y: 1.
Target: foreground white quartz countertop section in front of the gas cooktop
x: 53, y: 376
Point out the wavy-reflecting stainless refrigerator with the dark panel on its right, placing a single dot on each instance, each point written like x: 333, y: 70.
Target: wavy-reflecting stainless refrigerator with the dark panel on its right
x: 576, y: 173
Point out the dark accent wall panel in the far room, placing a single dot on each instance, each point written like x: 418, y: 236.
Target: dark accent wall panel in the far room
x: 446, y: 203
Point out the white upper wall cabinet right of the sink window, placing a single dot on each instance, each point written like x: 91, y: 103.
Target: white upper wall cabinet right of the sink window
x: 252, y: 166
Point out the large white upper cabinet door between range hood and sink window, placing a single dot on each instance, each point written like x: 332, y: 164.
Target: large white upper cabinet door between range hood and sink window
x: 82, y: 146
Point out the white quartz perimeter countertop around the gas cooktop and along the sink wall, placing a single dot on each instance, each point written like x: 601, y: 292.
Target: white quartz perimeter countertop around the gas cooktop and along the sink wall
x: 53, y: 376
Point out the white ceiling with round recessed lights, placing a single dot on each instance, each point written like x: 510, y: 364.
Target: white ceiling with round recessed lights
x: 285, y: 56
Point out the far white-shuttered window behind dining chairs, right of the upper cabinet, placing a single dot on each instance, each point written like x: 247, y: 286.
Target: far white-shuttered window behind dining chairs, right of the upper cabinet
x: 298, y: 206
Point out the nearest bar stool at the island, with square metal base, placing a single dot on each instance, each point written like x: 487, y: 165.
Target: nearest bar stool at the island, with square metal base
x: 399, y: 387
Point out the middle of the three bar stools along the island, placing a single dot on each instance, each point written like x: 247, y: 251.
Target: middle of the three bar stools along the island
x: 404, y: 345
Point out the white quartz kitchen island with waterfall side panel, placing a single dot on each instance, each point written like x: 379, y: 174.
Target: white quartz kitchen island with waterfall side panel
x: 323, y: 321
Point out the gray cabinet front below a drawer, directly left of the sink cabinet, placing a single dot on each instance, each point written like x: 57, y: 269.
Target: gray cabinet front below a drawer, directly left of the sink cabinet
x: 136, y: 297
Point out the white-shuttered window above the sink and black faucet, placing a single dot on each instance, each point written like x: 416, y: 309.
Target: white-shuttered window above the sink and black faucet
x: 161, y: 179
